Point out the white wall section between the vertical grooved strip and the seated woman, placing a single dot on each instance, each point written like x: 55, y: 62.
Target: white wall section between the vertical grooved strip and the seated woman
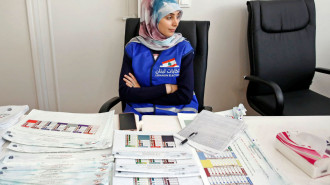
x: 89, y: 38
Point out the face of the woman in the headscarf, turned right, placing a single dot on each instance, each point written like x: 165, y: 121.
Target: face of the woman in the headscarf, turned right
x: 168, y: 24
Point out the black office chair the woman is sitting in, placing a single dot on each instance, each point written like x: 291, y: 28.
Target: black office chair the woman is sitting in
x: 196, y: 33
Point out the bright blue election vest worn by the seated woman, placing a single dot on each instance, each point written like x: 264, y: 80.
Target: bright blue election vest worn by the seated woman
x: 164, y: 70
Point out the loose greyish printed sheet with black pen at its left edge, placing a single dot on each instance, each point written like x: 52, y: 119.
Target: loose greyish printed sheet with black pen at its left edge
x: 213, y: 133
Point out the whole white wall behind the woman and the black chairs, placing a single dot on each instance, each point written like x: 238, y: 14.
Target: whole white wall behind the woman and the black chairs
x: 88, y: 46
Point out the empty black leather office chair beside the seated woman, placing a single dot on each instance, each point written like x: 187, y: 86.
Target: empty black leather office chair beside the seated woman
x: 281, y: 41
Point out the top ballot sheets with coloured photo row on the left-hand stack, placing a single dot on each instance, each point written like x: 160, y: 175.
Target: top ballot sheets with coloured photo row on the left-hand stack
x: 59, y: 129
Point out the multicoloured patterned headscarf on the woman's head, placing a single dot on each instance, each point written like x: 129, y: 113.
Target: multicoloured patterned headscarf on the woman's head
x: 152, y: 11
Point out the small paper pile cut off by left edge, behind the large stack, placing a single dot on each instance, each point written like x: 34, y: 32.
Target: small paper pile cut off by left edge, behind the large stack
x: 9, y: 116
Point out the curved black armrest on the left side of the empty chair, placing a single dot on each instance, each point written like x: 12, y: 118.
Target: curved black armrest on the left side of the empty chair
x: 279, y: 98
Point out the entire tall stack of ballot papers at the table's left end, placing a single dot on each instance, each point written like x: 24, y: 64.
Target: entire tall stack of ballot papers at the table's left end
x: 59, y: 148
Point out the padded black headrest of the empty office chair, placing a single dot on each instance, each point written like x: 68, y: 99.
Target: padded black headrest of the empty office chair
x: 284, y: 16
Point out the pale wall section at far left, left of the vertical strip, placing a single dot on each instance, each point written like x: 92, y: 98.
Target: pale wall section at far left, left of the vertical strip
x: 17, y: 83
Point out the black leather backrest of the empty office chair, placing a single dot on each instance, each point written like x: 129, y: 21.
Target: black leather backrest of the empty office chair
x: 281, y: 41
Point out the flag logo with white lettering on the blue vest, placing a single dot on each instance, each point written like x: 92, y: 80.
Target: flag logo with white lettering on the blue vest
x: 168, y: 68
